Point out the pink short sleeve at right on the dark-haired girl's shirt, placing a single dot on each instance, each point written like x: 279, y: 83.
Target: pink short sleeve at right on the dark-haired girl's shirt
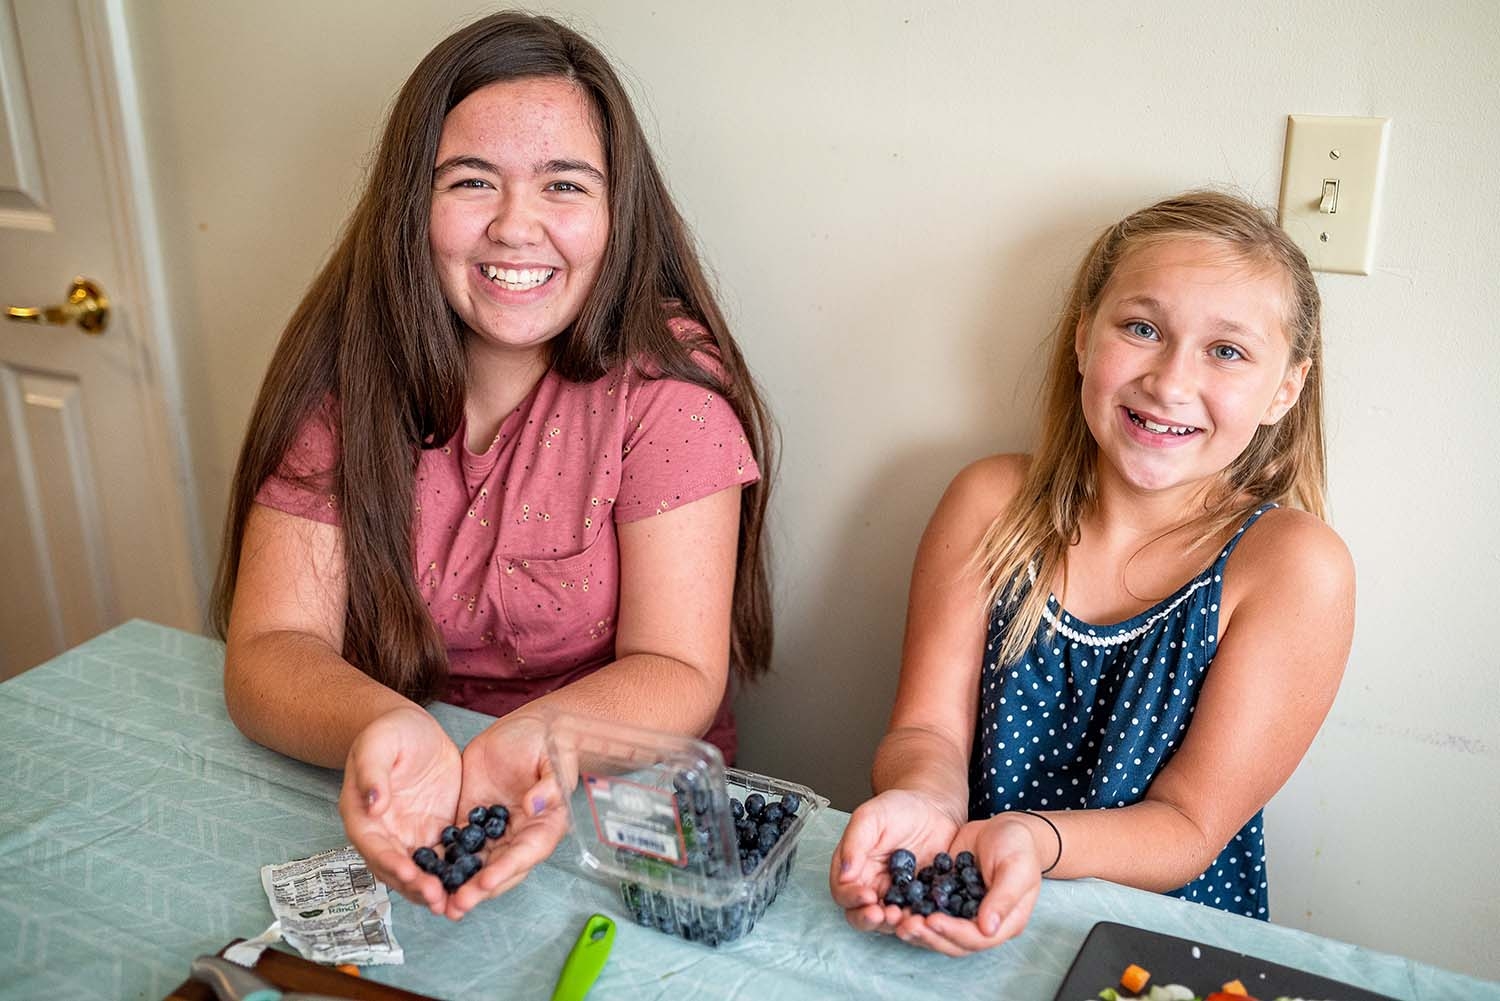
x: 683, y: 442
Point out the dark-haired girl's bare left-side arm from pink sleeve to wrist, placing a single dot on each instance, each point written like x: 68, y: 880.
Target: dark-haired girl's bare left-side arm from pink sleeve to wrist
x: 286, y: 684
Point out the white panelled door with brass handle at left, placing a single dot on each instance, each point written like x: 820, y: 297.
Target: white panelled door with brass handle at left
x: 92, y: 510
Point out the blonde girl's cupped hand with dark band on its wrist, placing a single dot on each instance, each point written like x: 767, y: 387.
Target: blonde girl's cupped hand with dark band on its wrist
x: 1007, y: 858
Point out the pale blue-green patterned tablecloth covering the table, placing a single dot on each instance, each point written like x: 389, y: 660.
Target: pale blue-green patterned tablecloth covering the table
x: 134, y: 822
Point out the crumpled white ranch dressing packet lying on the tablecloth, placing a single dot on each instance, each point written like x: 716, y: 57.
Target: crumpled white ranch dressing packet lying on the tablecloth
x: 332, y: 910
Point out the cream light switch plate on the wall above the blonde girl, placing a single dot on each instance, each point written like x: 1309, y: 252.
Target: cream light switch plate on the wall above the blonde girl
x: 1348, y: 151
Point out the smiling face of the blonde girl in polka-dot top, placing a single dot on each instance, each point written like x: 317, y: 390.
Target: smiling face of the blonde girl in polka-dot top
x: 1183, y: 361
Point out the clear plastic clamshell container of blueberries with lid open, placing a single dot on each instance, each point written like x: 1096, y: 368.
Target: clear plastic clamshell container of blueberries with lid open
x: 652, y: 814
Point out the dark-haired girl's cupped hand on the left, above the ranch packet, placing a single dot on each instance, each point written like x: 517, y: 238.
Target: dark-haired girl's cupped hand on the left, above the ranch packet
x: 401, y: 789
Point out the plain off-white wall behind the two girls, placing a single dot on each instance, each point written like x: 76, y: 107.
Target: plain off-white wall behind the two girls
x: 892, y: 196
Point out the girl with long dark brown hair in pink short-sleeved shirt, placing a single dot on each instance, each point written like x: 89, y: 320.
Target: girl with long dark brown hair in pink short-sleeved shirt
x: 508, y: 455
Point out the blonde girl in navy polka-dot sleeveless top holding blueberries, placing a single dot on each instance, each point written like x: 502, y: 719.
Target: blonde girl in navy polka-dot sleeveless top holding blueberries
x: 1120, y: 648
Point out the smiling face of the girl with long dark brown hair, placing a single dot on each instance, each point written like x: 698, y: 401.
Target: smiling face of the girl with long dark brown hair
x: 520, y: 211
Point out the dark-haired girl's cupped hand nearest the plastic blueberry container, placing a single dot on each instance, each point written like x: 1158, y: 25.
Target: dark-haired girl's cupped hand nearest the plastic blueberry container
x: 508, y: 765
